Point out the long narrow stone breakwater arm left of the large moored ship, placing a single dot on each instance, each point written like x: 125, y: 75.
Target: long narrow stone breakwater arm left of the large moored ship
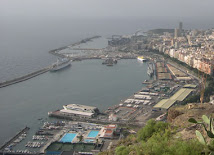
x: 25, y: 77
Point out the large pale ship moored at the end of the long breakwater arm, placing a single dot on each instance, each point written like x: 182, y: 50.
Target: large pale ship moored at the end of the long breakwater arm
x: 60, y: 64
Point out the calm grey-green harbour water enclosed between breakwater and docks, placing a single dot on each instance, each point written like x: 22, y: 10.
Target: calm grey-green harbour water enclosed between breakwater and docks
x: 77, y: 86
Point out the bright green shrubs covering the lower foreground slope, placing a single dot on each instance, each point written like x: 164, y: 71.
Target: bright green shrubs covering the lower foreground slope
x: 156, y: 138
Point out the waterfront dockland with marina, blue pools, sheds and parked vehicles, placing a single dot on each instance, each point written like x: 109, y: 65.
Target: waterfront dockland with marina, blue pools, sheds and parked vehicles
x: 88, y: 124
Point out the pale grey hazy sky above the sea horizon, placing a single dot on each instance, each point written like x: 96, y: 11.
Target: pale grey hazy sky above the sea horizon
x: 107, y: 8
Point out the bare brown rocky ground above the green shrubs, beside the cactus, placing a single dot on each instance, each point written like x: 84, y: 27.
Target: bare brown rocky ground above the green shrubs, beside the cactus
x: 179, y: 116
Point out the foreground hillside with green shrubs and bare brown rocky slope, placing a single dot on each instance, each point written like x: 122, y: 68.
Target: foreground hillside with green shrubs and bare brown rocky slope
x: 175, y: 137
